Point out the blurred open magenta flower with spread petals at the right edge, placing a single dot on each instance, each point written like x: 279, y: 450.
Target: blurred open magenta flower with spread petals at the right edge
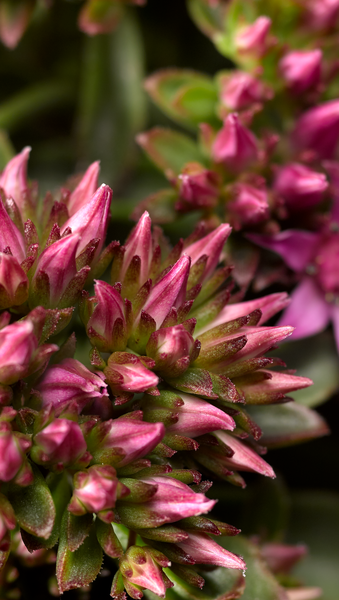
x: 314, y: 256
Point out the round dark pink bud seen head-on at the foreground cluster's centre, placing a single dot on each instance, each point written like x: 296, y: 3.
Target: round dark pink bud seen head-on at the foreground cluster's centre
x: 173, y: 349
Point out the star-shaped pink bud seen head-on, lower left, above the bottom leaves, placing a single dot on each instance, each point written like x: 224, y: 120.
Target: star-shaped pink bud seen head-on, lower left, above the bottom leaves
x: 96, y: 490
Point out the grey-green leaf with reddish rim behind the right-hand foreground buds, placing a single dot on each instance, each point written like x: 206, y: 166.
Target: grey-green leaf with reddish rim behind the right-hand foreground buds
x: 285, y: 424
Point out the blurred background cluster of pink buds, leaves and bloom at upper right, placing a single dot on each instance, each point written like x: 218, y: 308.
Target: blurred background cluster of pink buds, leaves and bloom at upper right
x: 265, y: 153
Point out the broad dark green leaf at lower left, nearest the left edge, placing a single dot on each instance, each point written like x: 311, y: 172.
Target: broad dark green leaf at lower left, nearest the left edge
x: 33, y: 506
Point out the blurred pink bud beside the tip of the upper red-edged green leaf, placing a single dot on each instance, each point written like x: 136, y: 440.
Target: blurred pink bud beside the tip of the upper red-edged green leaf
x: 240, y: 90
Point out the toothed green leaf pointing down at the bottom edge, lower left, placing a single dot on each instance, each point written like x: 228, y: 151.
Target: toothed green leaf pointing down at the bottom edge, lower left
x: 79, y: 568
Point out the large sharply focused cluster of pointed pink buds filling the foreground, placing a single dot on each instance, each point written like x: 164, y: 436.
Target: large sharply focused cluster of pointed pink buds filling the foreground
x: 113, y: 460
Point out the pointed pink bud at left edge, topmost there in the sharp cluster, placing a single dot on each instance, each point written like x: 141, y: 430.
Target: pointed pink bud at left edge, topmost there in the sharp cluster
x: 13, y: 179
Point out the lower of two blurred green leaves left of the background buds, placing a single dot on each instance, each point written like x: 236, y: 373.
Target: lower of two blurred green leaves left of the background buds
x: 169, y: 150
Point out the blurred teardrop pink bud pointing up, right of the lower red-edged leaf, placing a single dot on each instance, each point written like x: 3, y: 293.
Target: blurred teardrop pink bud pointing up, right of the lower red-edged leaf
x: 235, y: 146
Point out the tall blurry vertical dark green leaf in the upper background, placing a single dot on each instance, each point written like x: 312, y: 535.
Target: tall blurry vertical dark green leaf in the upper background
x: 112, y: 103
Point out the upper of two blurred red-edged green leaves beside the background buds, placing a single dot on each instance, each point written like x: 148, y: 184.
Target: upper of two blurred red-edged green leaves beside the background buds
x: 186, y: 96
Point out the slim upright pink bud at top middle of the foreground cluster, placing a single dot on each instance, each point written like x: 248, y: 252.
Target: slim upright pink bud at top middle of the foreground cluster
x: 139, y: 244
